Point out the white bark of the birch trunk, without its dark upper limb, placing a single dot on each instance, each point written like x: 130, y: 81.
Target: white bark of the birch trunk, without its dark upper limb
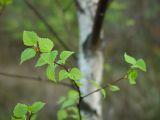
x: 90, y: 62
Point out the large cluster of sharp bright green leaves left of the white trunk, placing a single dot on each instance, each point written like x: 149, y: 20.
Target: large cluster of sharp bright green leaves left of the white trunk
x: 48, y: 57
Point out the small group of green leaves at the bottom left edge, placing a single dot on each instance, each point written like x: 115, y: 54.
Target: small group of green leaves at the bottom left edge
x: 22, y: 111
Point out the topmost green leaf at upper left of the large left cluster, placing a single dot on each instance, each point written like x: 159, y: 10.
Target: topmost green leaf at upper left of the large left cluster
x: 29, y: 38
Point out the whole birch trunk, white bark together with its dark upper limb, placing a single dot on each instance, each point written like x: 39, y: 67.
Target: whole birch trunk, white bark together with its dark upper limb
x: 90, y: 17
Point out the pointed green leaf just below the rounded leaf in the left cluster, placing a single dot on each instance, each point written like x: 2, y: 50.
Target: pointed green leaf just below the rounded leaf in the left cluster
x: 47, y: 58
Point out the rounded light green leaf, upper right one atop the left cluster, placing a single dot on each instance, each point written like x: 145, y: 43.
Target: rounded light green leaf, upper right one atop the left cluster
x: 45, y: 44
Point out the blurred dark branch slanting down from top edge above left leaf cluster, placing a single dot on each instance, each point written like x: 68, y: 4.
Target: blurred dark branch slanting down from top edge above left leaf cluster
x: 50, y: 29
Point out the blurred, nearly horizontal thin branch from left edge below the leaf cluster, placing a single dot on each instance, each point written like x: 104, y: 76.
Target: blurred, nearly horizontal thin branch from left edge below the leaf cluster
x: 32, y: 78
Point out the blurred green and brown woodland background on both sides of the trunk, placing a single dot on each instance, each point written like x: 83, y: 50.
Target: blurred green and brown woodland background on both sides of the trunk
x: 131, y: 26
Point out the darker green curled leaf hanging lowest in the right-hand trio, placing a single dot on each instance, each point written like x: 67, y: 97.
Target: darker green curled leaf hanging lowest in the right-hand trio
x: 132, y: 76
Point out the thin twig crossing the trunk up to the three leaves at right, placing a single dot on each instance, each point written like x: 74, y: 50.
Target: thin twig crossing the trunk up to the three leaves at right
x: 104, y: 87
